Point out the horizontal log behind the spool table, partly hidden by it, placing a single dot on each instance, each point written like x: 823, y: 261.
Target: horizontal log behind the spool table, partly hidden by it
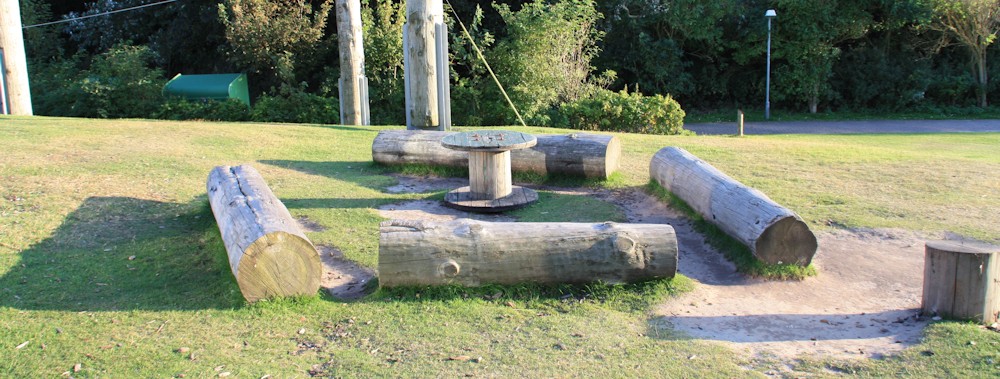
x: 580, y: 154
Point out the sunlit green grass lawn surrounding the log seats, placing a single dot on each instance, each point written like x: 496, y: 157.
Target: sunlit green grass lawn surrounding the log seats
x: 111, y: 264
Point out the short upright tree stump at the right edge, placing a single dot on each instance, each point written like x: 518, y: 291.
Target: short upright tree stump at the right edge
x: 961, y: 281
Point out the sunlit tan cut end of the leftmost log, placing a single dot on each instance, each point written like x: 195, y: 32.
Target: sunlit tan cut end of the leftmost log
x: 279, y: 264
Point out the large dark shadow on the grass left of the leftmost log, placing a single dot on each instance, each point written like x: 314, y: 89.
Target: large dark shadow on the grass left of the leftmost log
x: 121, y: 253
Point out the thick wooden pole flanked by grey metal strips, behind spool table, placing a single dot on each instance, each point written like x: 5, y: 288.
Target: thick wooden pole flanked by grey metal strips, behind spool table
x: 425, y: 60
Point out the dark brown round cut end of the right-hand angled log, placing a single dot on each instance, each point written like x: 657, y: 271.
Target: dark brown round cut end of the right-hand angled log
x: 788, y: 241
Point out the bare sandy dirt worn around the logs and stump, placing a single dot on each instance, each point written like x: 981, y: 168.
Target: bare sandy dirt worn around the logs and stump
x: 863, y: 304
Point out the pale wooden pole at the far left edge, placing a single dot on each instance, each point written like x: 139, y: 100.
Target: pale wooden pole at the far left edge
x: 15, y: 66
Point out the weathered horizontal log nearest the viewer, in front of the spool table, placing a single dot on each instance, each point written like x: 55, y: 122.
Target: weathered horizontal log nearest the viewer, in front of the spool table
x: 471, y: 253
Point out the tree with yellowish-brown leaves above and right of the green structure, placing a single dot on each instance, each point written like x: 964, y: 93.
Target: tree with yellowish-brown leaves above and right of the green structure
x: 265, y: 36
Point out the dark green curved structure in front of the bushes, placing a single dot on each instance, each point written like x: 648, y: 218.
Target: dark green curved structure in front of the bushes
x: 212, y: 86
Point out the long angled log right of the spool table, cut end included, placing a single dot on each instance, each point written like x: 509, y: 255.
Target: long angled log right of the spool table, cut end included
x: 773, y: 233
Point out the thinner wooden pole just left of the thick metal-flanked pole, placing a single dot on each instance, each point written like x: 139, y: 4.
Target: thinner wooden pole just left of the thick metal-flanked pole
x: 353, y: 83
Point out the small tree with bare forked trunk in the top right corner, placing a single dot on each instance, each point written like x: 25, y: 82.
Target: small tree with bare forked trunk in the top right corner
x: 974, y: 25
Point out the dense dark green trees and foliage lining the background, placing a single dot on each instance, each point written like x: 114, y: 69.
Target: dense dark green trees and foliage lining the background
x: 551, y: 55
